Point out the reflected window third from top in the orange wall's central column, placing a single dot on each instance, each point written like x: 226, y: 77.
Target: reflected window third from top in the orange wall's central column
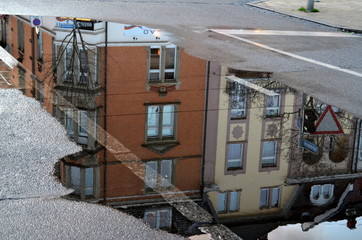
x: 158, y: 174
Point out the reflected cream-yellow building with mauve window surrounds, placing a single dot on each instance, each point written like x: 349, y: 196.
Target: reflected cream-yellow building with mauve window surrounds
x: 247, y: 149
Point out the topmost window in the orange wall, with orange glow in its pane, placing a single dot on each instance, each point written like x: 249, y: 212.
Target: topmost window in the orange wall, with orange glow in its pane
x: 162, y: 64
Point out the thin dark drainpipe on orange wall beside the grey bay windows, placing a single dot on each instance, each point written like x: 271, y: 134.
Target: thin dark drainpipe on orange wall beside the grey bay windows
x: 105, y: 116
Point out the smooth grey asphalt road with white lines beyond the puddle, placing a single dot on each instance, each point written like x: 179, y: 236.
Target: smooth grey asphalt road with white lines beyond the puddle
x: 189, y: 23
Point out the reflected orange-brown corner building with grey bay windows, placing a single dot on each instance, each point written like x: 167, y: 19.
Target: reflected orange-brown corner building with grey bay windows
x: 131, y: 99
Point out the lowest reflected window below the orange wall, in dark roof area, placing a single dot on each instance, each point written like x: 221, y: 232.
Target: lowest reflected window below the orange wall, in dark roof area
x: 158, y: 218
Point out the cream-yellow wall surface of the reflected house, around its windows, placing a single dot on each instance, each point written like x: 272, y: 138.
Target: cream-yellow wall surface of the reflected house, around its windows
x: 251, y: 132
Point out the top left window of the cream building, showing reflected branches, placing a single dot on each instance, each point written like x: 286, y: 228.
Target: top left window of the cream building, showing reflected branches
x: 237, y: 101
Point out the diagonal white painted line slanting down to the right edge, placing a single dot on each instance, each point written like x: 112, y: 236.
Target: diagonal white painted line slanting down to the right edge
x: 222, y: 32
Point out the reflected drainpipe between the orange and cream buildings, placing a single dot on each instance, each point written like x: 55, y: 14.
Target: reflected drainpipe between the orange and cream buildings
x: 205, y: 131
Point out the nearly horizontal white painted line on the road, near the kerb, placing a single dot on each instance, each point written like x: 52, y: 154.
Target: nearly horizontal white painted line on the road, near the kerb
x: 284, y: 33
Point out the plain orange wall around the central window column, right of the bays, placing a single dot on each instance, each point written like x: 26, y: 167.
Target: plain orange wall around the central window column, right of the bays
x: 127, y: 94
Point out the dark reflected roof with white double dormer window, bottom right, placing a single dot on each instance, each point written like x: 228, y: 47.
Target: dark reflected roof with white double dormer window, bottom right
x: 344, y: 203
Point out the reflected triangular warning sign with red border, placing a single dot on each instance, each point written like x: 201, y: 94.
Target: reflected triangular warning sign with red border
x: 328, y: 123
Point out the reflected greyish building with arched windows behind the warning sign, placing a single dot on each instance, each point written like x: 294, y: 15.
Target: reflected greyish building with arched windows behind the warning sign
x: 334, y: 155
